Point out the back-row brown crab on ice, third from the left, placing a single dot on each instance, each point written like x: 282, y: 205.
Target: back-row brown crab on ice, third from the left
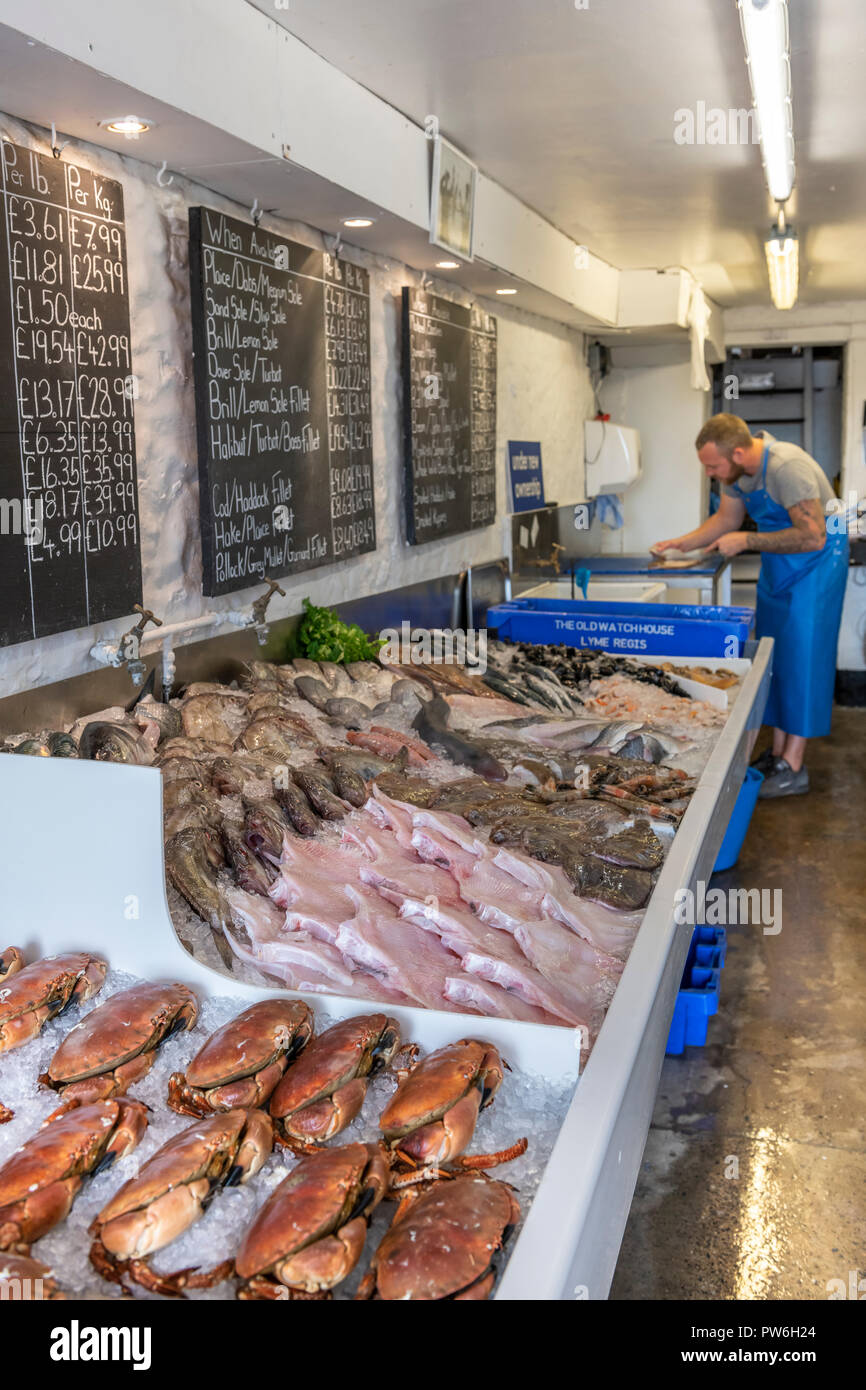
x: 243, y: 1063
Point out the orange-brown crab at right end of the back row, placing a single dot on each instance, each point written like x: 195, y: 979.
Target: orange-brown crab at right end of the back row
x: 433, y: 1114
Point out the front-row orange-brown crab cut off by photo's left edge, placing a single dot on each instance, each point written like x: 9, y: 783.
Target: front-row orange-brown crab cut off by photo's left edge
x: 41, y: 1181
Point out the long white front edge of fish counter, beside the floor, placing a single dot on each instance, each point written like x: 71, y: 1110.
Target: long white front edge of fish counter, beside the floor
x: 571, y: 1242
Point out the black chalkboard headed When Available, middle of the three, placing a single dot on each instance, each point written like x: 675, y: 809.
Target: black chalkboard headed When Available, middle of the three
x: 281, y: 341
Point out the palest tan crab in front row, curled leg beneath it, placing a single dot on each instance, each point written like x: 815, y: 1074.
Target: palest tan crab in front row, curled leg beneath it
x: 172, y: 1192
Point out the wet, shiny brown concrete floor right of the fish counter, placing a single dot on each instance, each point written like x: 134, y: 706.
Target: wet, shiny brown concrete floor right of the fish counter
x: 754, y: 1178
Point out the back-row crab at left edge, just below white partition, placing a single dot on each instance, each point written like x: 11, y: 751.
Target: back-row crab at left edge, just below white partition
x: 33, y: 995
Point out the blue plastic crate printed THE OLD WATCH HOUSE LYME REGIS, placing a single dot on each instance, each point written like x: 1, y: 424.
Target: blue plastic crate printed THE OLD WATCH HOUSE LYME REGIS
x: 628, y: 629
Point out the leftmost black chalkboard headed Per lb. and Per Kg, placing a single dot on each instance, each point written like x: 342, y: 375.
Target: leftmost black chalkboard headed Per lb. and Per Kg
x: 69, y: 498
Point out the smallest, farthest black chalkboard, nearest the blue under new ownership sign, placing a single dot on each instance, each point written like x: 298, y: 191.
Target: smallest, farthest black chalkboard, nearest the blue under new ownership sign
x: 450, y: 416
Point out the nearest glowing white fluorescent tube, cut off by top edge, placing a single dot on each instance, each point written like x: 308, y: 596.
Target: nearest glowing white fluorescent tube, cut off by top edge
x: 765, y: 33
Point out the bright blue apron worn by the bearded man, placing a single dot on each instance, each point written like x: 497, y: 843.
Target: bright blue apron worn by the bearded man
x: 800, y: 605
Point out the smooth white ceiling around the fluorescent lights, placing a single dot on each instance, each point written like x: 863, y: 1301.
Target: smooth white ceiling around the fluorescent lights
x: 573, y: 111
